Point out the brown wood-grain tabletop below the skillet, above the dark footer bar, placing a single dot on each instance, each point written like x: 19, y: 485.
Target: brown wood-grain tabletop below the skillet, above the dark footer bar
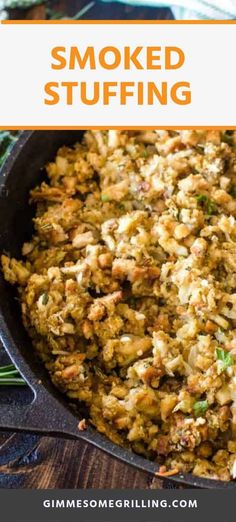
x: 50, y: 463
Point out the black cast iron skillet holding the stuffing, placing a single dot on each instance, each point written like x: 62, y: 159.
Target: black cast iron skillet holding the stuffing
x: 46, y: 411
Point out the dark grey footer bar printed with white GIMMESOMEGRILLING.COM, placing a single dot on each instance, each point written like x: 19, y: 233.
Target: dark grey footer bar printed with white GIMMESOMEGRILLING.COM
x: 111, y: 505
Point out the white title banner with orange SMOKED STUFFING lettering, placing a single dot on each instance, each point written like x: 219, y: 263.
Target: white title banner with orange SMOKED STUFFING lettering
x: 209, y: 68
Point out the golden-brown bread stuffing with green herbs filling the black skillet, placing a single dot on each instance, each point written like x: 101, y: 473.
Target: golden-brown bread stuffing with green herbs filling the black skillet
x: 128, y: 290
